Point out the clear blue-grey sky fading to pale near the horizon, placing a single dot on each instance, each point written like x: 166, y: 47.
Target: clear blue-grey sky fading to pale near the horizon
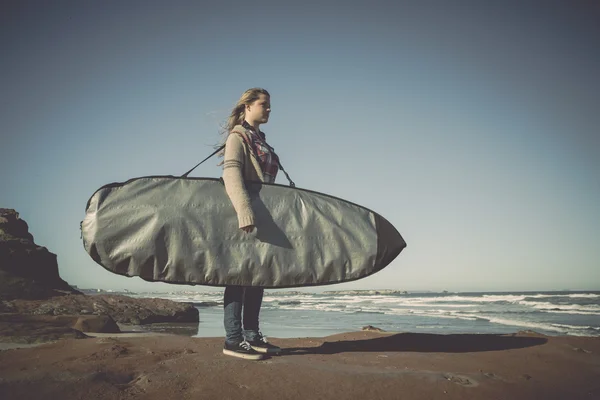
x: 473, y: 127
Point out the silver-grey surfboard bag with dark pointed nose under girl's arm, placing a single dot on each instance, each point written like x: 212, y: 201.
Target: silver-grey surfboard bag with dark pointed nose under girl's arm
x: 185, y: 231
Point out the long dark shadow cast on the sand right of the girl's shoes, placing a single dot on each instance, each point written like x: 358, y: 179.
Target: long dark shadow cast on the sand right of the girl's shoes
x: 424, y: 343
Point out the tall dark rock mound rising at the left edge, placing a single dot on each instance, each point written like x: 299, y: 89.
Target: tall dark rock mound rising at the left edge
x: 27, y: 271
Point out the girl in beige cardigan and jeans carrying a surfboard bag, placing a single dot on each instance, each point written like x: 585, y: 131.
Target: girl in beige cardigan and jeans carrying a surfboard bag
x: 247, y: 157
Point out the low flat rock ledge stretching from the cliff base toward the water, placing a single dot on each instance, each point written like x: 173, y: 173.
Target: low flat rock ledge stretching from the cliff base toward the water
x: 122, y: 309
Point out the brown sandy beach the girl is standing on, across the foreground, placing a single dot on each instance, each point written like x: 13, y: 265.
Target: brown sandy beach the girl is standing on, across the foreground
x: 356, y: 365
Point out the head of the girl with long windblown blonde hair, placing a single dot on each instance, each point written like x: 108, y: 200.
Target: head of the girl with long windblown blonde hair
x: 254, y: 106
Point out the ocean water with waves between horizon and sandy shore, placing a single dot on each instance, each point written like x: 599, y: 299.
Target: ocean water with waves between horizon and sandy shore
x: 287, y: 314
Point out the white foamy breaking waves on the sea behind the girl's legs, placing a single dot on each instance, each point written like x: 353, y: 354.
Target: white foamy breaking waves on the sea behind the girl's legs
x: 512, y: 310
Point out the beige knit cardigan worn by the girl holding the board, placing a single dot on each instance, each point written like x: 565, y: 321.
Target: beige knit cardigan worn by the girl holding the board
x: 239, y: 165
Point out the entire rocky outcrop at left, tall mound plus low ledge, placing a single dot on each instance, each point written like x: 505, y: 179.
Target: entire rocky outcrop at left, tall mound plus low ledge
x: 37, y: 305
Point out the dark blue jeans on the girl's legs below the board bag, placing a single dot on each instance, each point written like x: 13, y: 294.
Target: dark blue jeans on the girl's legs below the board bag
x: 238, y: 298
